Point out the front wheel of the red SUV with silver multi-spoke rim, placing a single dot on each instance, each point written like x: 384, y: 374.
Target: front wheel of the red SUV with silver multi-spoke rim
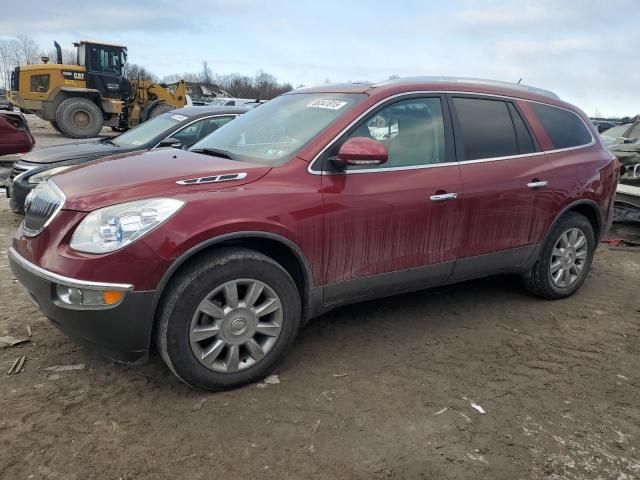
x: 181, y: 319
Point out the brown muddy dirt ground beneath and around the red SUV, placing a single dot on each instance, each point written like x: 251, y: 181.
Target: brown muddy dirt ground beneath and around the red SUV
x: 361, y: 395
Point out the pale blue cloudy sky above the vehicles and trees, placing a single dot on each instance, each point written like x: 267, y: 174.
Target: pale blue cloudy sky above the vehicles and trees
x: 586, y: 51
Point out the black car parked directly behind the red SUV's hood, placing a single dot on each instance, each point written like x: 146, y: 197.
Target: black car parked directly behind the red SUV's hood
x: 179, y: 129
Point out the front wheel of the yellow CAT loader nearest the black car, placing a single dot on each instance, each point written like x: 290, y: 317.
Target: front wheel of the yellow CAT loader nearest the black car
x: 79, y: 118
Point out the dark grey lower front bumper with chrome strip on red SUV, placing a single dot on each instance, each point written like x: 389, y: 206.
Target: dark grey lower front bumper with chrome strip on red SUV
x: 122, y: 332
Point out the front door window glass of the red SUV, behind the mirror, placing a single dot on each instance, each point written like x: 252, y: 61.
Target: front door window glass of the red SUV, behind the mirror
x: 412, y: 130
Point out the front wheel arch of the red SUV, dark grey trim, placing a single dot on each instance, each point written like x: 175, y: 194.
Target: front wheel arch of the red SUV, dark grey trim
x: 278, y: 248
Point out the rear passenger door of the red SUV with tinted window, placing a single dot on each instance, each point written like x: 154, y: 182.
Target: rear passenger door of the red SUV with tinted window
x: 504, y: 175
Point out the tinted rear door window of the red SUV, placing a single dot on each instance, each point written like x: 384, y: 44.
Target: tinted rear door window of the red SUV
x: 486, y: 127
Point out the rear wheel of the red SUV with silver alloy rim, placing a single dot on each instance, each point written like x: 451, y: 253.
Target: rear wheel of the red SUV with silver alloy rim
x: 541, y: 280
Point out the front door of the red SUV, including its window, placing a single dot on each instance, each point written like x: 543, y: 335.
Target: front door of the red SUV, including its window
x: 395, y: 226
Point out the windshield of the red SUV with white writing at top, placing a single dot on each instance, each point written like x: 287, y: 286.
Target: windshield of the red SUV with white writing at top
x: 273, y: 133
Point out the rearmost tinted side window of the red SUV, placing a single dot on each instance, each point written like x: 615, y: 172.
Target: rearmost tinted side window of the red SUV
x: 565, y: 128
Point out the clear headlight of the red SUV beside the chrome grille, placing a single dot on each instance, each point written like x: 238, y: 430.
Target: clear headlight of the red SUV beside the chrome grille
x: 114, y: 227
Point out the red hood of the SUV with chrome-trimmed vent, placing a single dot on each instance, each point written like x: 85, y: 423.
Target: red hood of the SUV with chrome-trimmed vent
x: 149, y: 174
